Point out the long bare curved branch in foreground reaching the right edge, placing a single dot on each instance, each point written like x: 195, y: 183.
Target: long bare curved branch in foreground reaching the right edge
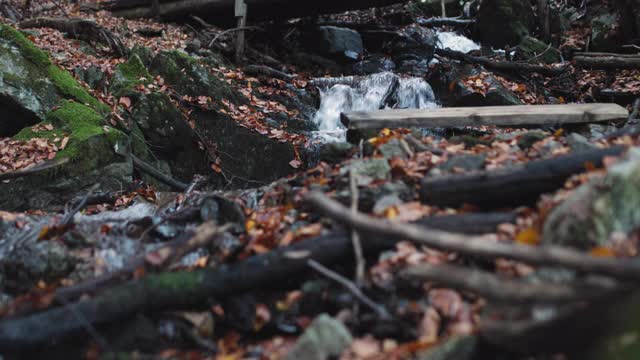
x: 473, y: 245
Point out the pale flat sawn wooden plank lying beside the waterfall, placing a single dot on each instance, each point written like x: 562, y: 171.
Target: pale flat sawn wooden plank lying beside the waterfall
x: 516, y: 116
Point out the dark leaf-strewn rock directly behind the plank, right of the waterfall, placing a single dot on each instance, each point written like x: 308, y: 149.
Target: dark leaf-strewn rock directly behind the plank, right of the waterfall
x: 461, y: 95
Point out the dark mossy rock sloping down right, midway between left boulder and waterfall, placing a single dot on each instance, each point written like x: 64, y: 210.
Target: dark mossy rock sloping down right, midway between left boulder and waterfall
x: 189, y: 77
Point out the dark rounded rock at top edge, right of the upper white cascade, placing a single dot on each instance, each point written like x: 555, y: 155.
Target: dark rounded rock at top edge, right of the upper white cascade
x: 504, y: 22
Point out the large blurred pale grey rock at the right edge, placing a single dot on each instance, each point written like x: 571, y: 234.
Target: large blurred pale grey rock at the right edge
x: 599, y: 208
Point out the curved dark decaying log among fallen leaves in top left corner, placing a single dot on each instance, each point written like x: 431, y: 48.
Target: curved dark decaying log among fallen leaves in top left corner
x: 80, y: 29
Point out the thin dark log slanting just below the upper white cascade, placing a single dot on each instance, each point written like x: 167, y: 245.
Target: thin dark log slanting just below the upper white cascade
x: 505, y: 66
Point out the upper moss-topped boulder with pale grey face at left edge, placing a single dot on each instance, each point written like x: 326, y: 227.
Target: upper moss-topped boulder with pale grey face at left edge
x: 30, y: 85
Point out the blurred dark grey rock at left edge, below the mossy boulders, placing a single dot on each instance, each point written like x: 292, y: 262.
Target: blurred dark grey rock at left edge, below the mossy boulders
x: 38, y: 260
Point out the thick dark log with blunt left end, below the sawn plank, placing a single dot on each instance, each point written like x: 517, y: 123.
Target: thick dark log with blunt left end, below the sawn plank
x: 514, y: 186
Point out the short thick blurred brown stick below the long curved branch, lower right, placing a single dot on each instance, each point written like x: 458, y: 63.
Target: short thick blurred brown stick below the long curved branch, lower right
x: 504, y: 289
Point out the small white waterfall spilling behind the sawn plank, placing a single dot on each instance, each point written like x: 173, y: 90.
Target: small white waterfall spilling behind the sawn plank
x: 366, y: 93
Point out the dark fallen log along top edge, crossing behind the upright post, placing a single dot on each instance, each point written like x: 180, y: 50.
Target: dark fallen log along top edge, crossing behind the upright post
x: 224, y: 9
